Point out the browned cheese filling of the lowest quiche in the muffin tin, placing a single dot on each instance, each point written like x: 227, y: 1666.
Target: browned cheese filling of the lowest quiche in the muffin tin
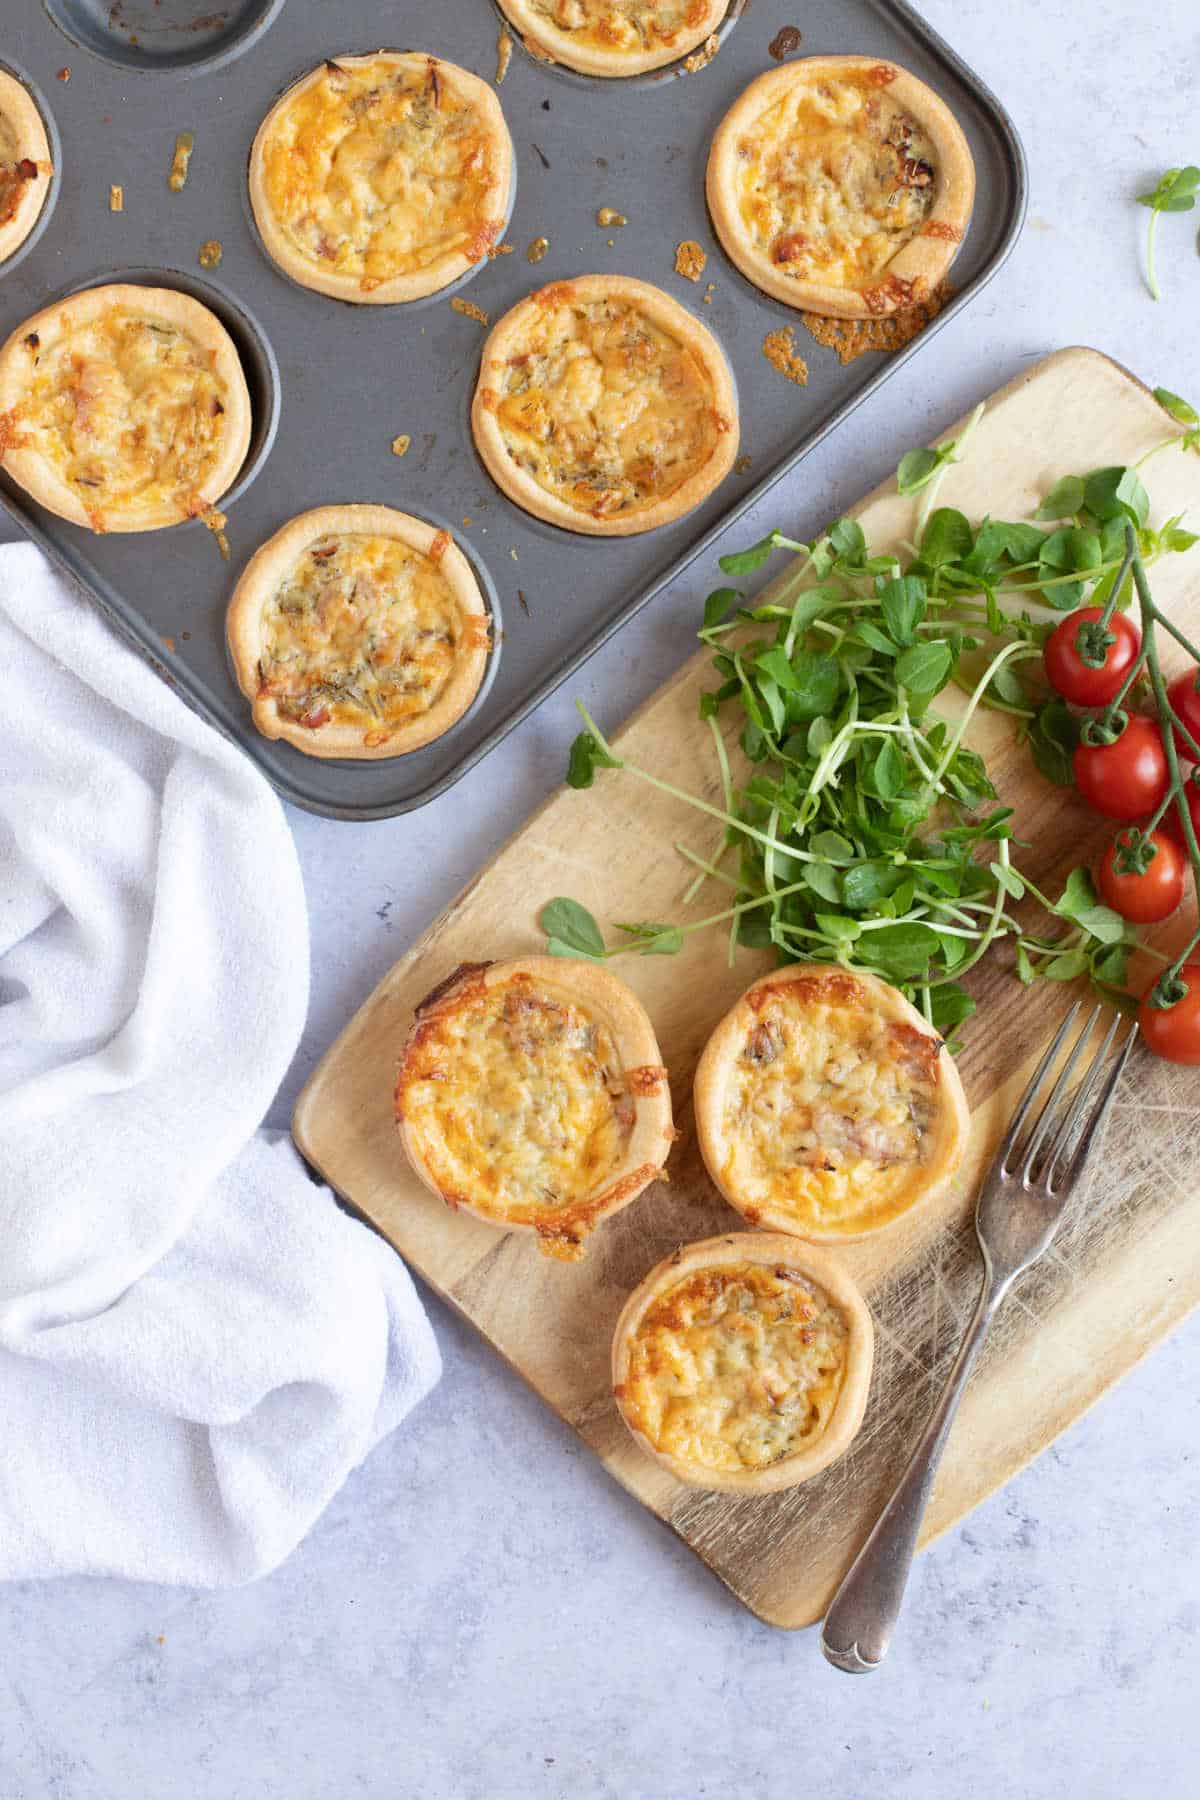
x: 363, y: 633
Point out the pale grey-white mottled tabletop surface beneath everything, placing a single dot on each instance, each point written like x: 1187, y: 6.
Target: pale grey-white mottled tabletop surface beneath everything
x: 483, y: 1614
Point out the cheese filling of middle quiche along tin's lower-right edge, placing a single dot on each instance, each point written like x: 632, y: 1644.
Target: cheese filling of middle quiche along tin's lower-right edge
x: 605, y: 409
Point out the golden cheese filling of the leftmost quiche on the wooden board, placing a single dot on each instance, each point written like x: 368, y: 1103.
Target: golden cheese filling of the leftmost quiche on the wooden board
x: 519, y: 1101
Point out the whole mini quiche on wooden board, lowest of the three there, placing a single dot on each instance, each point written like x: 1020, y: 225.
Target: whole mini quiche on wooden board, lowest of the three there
x: 744, y: 1363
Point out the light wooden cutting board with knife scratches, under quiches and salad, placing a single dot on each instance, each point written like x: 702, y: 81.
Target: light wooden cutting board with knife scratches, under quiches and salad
x: 1127, y: 1263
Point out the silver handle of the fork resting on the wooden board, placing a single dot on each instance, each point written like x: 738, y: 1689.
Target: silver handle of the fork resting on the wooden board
x: 863, y: 1617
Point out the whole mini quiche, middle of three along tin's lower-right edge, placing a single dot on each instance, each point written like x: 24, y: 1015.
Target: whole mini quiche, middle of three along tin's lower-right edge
x: 605, y: 408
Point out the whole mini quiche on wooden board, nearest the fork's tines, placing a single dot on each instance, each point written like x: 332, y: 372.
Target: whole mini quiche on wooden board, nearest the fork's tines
x: 827, y: 1106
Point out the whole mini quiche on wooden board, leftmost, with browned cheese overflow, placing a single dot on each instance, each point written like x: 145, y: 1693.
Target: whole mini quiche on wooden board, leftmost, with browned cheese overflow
x: 533, y: 1095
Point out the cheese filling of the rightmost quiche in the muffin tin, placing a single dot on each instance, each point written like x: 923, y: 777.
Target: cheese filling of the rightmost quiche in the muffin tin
x: 834, y: 181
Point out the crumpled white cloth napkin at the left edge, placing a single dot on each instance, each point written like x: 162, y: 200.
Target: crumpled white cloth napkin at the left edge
x: 197, y: 1345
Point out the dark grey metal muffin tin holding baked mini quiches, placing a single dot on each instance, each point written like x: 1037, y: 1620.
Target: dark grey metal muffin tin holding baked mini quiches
x: 334, y: 384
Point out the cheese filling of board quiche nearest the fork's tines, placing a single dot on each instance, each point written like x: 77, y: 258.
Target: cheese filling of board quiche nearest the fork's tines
x: 828, y: 1108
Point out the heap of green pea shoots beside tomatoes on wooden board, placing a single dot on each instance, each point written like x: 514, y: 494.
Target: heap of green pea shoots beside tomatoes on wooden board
x: 868, y: 831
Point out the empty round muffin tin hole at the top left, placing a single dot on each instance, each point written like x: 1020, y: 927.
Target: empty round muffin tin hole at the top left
x: 177, y: 35
